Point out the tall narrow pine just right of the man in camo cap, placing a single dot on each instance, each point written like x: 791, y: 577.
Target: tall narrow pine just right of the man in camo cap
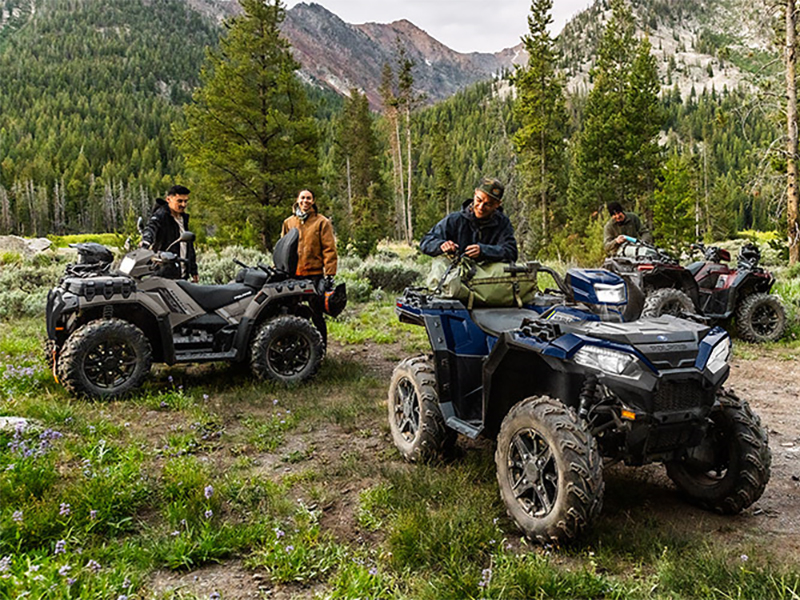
x: 539, y: 141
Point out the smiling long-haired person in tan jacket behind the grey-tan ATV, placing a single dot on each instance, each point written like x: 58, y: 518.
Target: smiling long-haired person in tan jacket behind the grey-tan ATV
x: 316, y: 248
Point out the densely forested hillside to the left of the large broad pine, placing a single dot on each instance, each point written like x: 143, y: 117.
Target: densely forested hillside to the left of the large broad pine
x: 89, y: 93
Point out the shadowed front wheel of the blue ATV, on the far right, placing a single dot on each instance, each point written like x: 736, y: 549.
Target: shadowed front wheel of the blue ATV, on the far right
x: 729, y: 470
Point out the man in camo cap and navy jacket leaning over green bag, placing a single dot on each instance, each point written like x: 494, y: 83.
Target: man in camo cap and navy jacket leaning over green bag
x: 480, y: 229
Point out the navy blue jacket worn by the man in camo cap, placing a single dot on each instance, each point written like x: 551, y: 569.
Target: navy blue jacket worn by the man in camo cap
x: 494, y: 235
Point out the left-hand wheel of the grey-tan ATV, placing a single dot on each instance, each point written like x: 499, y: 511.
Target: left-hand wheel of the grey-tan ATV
x: 104, y: 359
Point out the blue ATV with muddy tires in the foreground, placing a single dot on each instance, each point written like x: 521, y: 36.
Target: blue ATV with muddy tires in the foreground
x: 564, y: 386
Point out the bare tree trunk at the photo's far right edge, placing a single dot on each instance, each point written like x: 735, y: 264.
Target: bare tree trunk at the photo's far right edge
x: 791, y: 124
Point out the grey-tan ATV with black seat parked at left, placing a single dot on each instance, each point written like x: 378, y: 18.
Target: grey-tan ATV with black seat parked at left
x: 106, y: 327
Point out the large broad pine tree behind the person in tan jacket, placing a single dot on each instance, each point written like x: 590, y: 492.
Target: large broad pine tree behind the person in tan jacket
x: 250, y: 135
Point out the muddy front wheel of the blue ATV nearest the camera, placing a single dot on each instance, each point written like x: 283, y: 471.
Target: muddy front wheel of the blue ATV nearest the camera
x: 549, y: 470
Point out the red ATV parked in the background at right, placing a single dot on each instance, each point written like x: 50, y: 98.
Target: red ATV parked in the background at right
x: 709, y: 288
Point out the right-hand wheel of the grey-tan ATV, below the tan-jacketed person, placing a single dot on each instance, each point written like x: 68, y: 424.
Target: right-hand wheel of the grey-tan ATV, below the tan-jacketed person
x: 288, y: 349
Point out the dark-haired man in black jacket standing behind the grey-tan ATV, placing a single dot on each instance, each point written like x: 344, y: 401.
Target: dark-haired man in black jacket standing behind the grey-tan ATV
x: 165, y: 225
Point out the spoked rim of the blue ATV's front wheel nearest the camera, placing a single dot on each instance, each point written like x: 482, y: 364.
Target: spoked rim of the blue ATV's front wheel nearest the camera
x: 532, y: 473
